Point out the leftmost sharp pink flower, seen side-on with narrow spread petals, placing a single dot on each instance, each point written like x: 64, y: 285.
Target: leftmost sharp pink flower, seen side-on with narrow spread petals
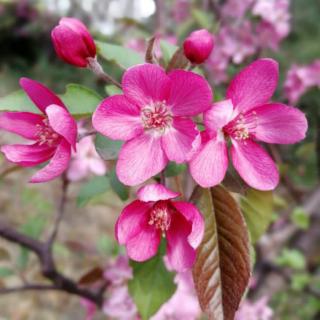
x: 54, y: 132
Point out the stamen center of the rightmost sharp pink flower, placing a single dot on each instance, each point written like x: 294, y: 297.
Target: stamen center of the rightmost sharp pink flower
x: 242, y: 126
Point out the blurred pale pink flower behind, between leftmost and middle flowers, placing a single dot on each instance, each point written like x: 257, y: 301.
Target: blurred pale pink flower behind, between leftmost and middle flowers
x: 86, y: 160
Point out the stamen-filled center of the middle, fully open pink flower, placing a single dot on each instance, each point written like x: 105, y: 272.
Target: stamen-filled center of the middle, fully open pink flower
x: 156, y: 116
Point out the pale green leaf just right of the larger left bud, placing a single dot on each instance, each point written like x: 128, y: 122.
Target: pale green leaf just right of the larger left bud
x: 122, y: 56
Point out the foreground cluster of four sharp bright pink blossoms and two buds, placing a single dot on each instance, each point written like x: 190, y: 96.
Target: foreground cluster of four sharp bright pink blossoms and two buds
x: 157, y: 116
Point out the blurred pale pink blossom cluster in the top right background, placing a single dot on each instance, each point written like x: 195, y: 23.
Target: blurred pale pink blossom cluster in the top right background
x: 240, y: 37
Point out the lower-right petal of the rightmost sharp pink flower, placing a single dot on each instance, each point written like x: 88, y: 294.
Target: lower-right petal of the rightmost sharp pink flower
x: 254, y: 165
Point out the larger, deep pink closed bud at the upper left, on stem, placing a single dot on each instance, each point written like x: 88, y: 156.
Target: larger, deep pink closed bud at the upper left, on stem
x: 73, y: 42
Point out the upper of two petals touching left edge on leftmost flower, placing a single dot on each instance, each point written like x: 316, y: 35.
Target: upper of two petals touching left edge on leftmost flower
x: 21, y: 123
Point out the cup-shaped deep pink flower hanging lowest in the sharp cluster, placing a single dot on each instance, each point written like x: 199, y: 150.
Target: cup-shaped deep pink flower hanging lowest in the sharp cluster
x: 143, y: 222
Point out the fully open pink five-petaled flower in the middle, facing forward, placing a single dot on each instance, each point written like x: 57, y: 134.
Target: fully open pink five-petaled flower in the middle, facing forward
x: 153, y: 116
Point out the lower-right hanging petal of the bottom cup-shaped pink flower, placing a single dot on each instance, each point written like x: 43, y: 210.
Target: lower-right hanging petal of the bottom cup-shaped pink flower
x: 181, y: 254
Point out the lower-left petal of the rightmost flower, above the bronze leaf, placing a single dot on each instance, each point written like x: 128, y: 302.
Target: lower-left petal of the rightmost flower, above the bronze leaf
x: 208, y: 167
